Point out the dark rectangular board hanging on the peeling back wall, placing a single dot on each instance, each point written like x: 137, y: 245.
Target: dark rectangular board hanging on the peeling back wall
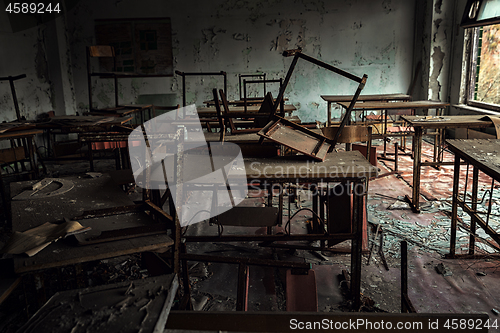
x: 143, y: 47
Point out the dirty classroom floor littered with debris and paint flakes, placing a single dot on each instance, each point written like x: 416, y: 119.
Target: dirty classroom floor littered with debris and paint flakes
x: 435, y: 284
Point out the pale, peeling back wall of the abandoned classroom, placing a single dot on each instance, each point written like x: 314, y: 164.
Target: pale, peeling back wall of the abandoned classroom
x: 375, y: 37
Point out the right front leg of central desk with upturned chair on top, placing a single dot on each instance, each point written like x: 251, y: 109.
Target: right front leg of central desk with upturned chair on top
x: 357, y: 243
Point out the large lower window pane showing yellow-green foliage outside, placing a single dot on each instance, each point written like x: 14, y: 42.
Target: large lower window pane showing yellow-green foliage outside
x: 487, y: 87
